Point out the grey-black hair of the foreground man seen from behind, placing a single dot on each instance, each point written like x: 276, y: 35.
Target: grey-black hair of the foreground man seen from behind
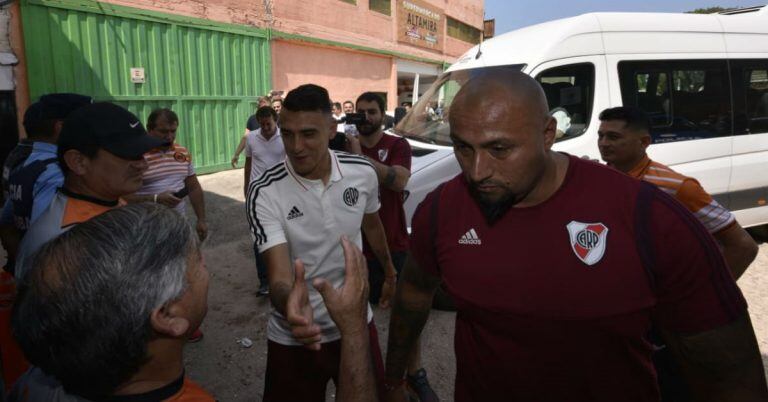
x: 83, y: 311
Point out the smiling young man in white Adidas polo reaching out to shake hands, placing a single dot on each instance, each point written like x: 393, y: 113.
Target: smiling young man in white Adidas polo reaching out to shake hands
x: 298, y: 211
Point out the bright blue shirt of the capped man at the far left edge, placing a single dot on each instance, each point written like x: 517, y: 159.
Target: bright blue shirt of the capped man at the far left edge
x: 45, y: 186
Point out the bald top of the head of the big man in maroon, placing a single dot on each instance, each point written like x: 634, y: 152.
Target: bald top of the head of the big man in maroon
x: 498, y: 94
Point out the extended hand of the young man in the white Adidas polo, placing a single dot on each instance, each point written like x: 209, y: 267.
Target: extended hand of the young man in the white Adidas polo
x: 299, y: 312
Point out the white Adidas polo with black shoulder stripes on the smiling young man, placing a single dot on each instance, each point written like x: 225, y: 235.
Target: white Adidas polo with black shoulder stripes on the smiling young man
x: 311, y: 217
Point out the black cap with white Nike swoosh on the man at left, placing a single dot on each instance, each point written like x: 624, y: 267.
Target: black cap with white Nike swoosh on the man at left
x: 110, y: 127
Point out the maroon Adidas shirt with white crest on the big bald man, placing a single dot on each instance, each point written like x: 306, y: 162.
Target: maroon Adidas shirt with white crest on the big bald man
x: 555, y: 301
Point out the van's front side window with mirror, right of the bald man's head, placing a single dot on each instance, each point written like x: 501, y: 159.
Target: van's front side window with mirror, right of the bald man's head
x: 569, y: 90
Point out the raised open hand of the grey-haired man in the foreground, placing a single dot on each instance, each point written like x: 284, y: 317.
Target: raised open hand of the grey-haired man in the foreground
x: 348, y: 305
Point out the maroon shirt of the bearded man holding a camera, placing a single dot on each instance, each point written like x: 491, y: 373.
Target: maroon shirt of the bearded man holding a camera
x: 391, y: 151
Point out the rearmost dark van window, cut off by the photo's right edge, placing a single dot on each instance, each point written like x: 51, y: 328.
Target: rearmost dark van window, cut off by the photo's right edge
x: 750, y: 80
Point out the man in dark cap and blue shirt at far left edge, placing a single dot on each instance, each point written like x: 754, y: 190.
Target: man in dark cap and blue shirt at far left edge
x: 31, y: 174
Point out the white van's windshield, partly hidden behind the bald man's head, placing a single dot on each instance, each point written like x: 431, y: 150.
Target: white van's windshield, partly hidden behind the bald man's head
x: 428, y: 119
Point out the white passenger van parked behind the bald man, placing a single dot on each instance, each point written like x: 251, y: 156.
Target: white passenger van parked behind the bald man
x: 703, y: 79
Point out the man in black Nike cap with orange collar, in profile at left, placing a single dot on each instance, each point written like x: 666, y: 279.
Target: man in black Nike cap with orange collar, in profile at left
x: 101, y: 152
